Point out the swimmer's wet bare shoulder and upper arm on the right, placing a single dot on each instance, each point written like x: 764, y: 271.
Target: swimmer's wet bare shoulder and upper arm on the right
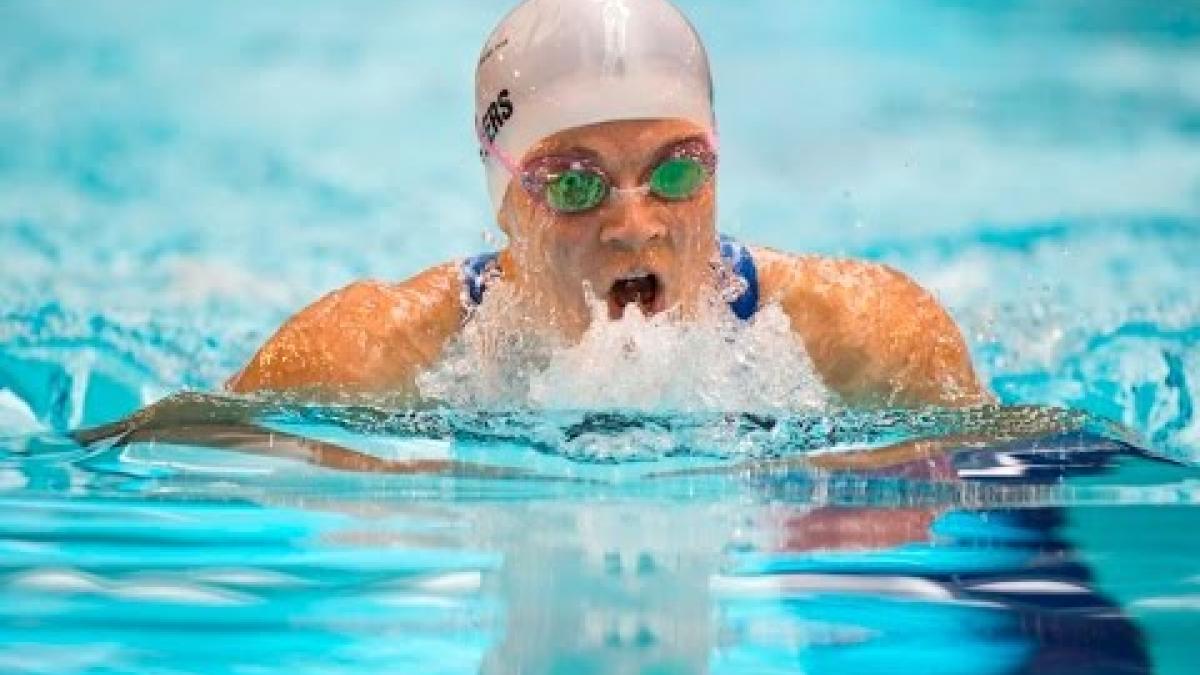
x: 875, y: 337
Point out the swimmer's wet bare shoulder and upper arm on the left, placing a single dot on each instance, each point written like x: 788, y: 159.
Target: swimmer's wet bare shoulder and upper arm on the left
x: 368, y: 339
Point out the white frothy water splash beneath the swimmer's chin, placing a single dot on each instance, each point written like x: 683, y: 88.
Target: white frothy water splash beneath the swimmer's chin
x: 658, y: 363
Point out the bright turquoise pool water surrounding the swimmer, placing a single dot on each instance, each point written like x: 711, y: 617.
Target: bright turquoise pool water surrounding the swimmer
x: 175, y: 181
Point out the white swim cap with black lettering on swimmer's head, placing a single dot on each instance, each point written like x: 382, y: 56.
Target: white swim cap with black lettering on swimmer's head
x: 553, y: 65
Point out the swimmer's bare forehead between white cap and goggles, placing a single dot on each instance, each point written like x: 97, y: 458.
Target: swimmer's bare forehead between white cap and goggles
x: 619, y: 139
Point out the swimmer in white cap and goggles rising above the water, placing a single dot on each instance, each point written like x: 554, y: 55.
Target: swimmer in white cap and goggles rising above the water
x: 598, y: 138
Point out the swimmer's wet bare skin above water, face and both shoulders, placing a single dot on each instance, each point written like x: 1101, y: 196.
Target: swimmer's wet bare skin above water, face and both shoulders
x: 875, y: 337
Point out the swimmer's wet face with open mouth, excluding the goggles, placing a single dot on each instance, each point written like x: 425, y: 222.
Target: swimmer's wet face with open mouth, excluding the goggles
x: 632, y: 249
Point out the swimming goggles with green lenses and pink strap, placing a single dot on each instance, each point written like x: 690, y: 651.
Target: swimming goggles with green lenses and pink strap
x: 574, y: 186
